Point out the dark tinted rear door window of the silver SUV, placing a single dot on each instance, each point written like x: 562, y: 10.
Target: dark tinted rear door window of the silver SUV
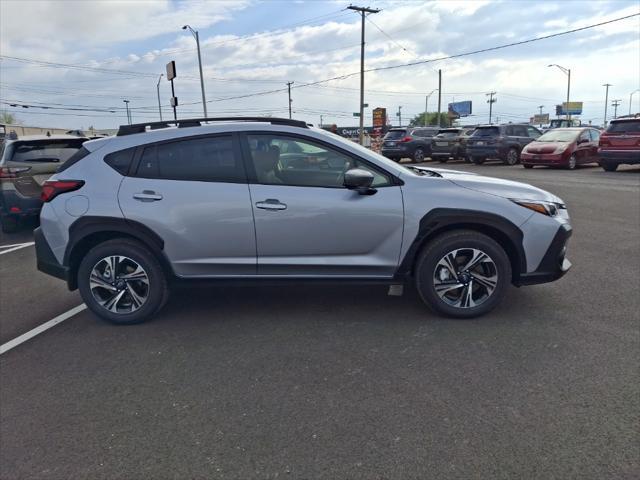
x: 208, y: 159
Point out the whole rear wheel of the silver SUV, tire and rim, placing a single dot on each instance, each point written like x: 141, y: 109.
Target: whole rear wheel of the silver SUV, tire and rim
x: 122, y: 282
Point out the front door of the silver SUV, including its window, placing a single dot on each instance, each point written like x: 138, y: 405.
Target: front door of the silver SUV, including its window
x: 308, y: 223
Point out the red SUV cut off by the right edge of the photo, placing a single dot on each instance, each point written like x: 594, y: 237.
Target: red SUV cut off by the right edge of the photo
x: 620, y: 143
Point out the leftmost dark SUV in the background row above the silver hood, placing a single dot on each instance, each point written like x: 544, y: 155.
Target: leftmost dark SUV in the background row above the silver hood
x: 410, y: 142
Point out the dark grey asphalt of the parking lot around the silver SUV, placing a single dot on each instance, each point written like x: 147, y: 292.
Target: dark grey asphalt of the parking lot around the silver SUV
x: 340, y: 382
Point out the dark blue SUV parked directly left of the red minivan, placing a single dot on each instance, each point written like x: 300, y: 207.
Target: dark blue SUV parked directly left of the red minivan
x: 503, y: 142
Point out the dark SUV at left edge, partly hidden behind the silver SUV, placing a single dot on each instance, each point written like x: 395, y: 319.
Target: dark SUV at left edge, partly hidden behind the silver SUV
x: 25, y: 165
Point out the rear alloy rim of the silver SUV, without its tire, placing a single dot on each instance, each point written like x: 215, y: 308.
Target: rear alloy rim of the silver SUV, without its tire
x: 119, y: 284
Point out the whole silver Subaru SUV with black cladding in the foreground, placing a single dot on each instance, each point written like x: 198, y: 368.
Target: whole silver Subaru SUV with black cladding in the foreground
x: 245, y: 199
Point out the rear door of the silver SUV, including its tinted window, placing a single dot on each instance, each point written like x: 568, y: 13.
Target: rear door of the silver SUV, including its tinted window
x: 193, y: 193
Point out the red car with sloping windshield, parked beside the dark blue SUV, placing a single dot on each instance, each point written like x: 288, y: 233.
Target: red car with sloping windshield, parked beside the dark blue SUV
x: 562, y: 147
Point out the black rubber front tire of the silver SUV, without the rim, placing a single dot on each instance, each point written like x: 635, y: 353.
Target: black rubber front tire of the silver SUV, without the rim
x: 460, y: 240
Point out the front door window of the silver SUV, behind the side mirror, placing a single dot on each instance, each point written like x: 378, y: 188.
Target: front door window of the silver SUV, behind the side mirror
x: 281, y: 160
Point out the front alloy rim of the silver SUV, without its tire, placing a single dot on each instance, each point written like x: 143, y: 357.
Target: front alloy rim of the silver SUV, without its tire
x: 465, y: 277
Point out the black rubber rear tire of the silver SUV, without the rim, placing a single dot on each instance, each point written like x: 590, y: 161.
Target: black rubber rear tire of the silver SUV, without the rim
x: 158, y: 290
